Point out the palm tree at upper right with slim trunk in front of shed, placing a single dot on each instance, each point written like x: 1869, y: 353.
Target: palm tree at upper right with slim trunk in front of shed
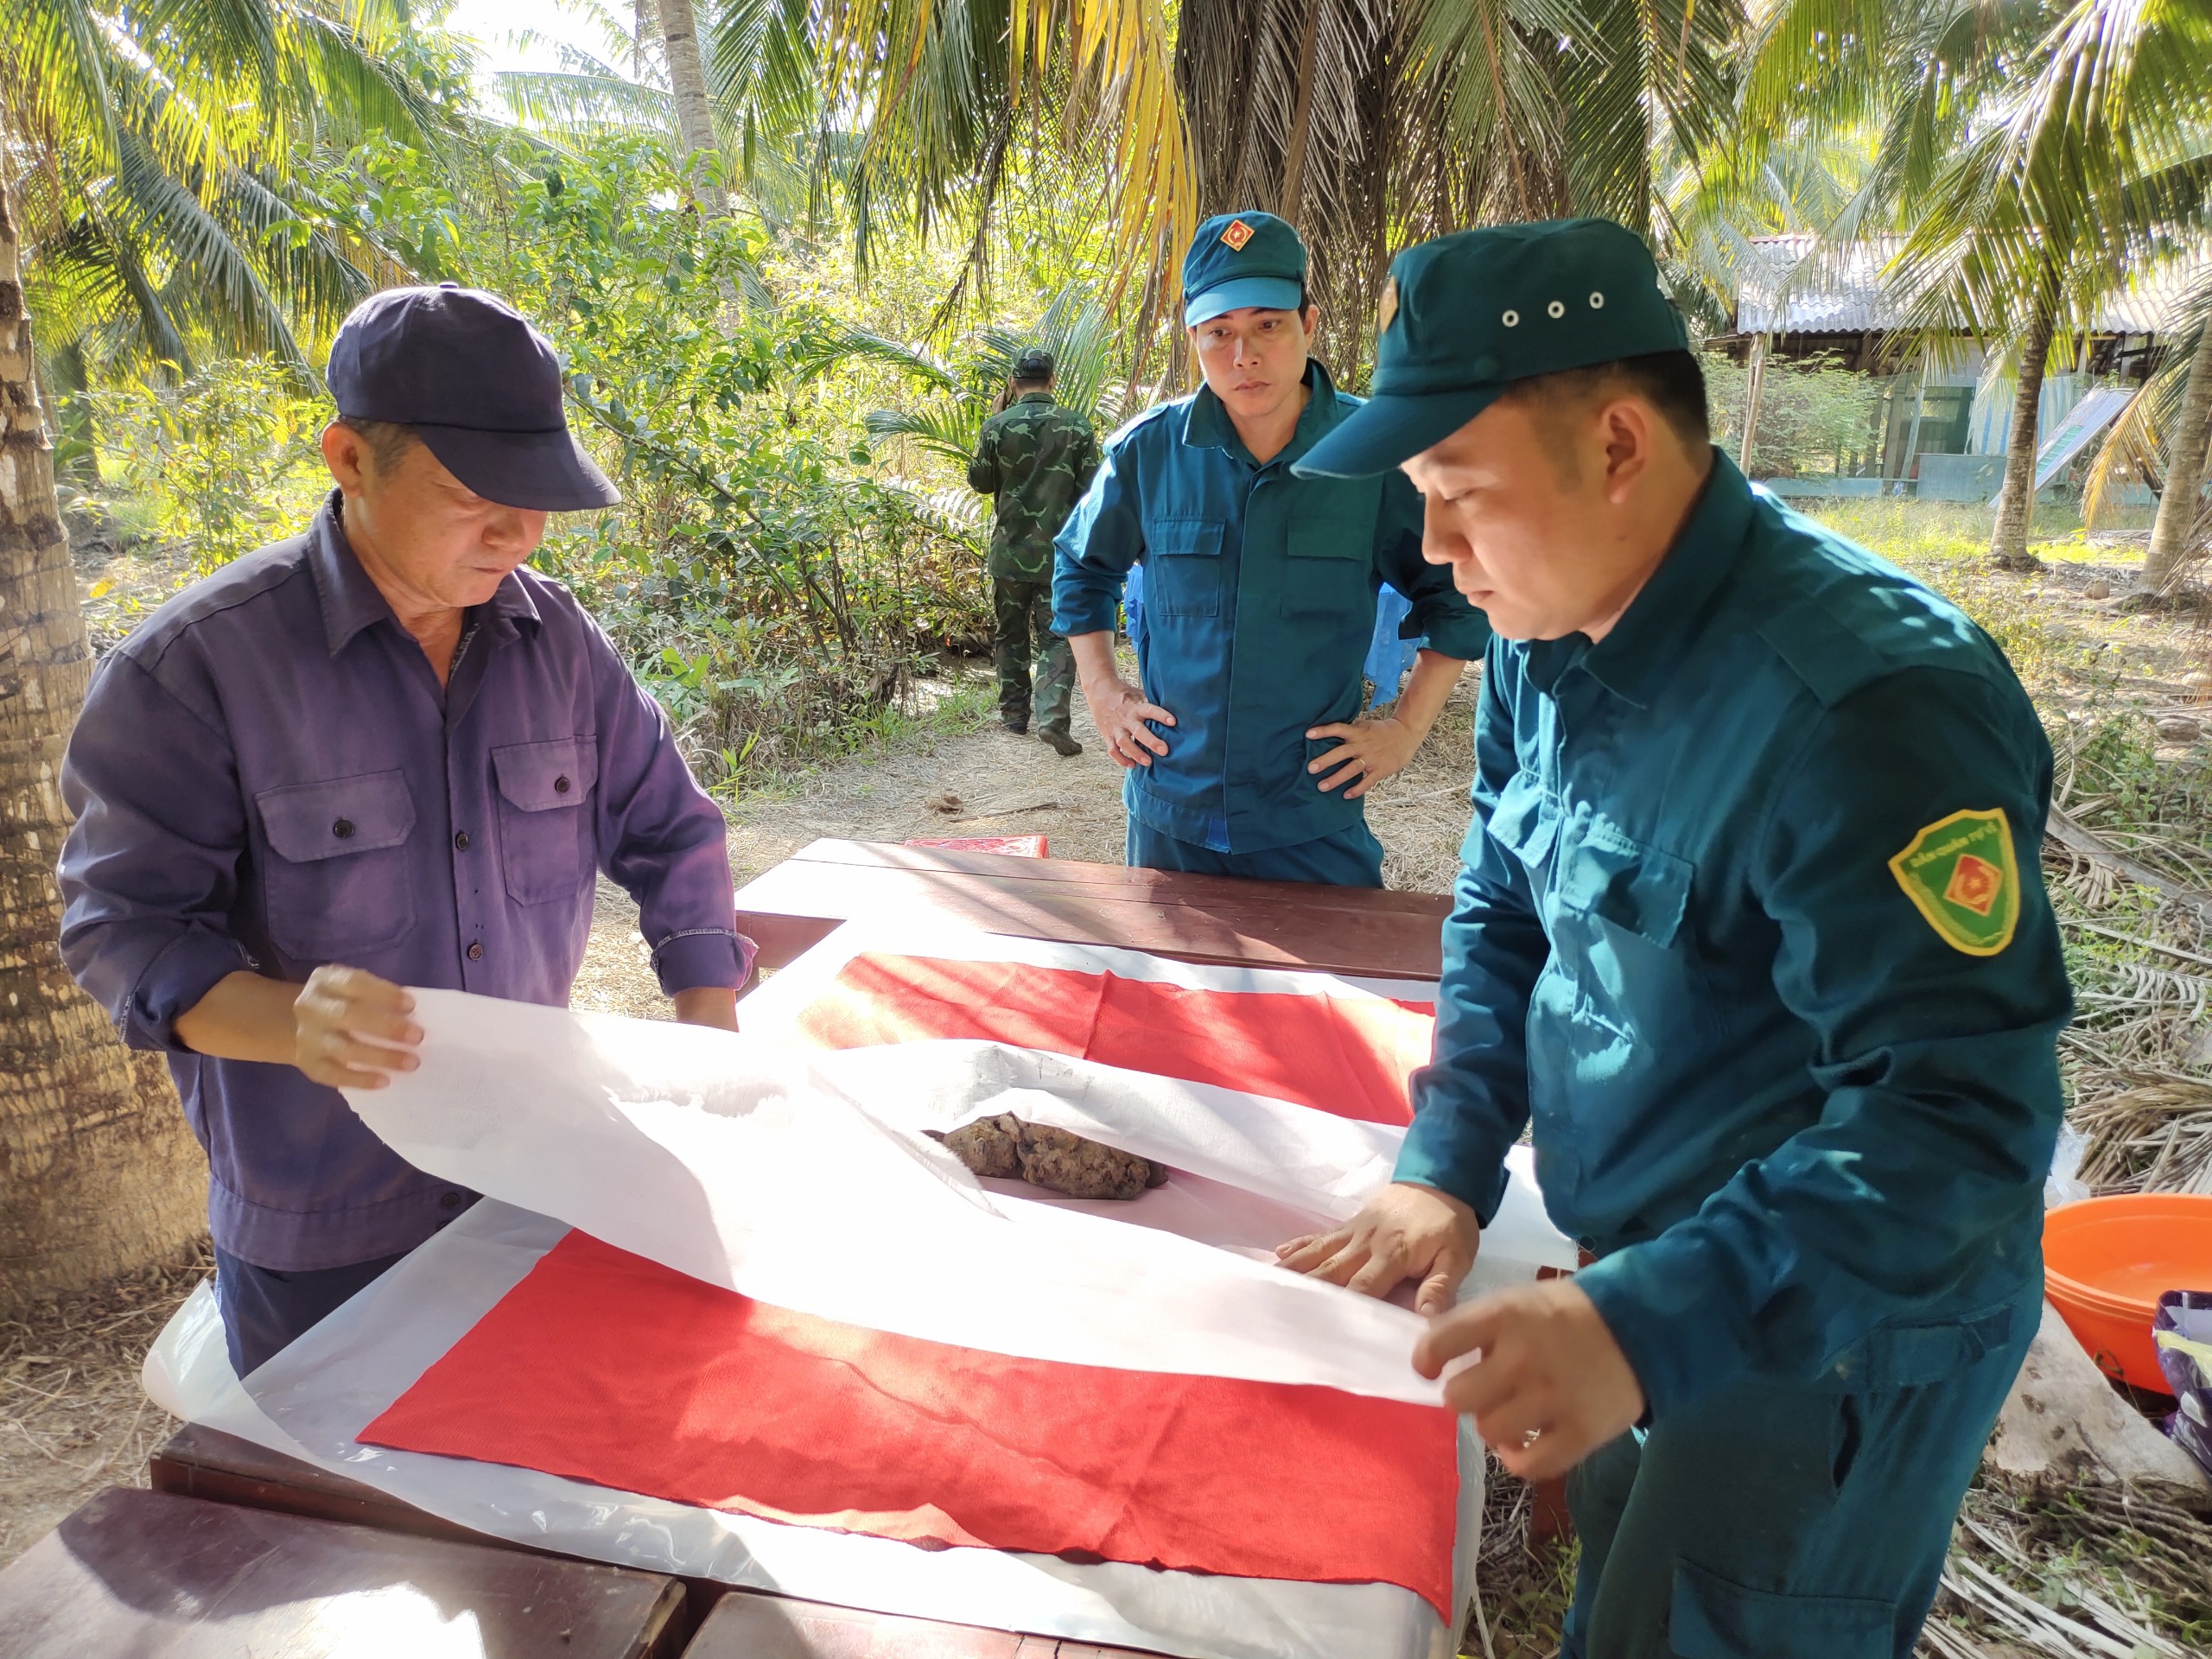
x: 2036, y: 154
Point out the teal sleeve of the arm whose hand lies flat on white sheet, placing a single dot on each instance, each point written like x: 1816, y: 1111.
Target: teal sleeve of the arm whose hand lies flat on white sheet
x: 1472, y: 1098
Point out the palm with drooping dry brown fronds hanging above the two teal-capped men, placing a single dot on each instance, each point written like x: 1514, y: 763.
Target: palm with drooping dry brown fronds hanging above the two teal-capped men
x: 1368, y: 123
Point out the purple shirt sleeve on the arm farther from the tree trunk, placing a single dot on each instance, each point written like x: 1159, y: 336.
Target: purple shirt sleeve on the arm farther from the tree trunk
x: 665, y: 842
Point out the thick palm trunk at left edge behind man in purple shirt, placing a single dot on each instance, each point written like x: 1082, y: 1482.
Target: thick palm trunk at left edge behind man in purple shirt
x: 98, y: 1173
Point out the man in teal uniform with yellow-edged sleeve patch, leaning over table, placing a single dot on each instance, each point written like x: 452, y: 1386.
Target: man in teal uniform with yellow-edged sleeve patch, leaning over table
x: 1751, y: 932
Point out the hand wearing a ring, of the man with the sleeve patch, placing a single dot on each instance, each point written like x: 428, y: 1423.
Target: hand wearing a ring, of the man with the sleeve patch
x: 1552, y: 1384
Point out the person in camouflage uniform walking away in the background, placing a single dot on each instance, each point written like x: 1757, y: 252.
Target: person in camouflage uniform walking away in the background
x: 1036, y: 459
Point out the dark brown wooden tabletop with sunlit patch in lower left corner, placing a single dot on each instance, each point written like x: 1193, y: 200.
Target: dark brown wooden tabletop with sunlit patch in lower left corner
x: 154, y: 1576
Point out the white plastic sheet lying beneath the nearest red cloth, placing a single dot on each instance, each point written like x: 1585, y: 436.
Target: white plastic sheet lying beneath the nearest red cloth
x: 315, y: 1399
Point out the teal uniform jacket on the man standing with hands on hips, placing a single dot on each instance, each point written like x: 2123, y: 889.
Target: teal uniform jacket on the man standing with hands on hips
x: 1260, y: 609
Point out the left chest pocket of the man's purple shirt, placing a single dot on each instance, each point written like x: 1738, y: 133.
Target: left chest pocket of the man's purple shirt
x: 337, y: 884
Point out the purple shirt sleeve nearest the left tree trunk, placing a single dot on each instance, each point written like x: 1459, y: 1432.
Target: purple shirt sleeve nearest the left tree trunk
x: 152, y: 866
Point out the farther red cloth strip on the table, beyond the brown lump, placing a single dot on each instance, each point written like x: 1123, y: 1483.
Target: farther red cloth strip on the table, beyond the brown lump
x: 1346, y: 1056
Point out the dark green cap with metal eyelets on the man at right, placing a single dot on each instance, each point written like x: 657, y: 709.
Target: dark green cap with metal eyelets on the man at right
x: 1470, y: 315
